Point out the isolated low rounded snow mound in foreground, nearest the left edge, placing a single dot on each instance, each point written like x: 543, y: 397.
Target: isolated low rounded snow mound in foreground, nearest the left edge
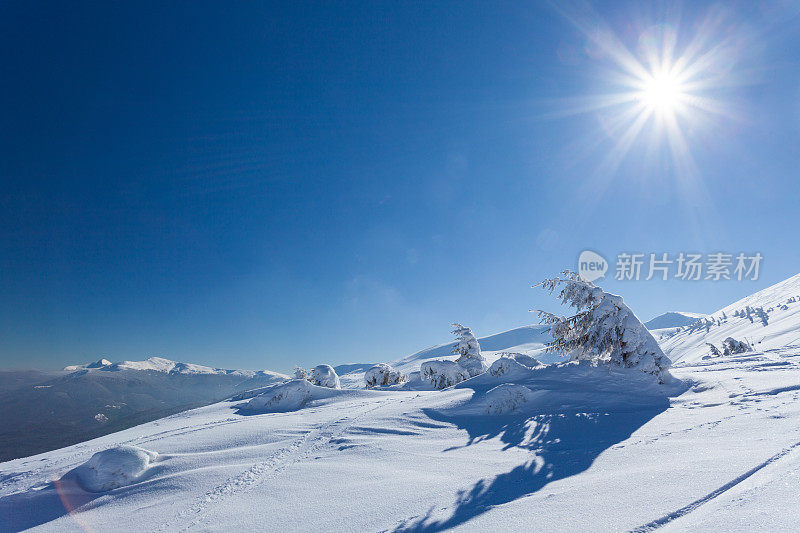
x: 114, y: 468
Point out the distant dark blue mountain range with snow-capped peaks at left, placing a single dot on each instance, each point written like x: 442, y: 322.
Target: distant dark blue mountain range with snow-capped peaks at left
x: 47, y: 410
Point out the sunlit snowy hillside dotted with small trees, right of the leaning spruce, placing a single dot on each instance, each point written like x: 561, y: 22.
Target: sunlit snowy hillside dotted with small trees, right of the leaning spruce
x: 782, y: 329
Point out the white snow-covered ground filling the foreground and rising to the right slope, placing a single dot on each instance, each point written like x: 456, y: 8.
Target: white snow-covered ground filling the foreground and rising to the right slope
x: 564, y: 447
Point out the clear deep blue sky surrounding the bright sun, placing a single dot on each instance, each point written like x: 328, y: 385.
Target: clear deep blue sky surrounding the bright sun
x: 260, y: 185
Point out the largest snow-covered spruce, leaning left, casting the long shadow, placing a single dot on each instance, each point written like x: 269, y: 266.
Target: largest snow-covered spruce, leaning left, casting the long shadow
x: 604, y: 329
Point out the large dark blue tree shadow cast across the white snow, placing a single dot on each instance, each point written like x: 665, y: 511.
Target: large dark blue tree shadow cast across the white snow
x: 562, y: 443
